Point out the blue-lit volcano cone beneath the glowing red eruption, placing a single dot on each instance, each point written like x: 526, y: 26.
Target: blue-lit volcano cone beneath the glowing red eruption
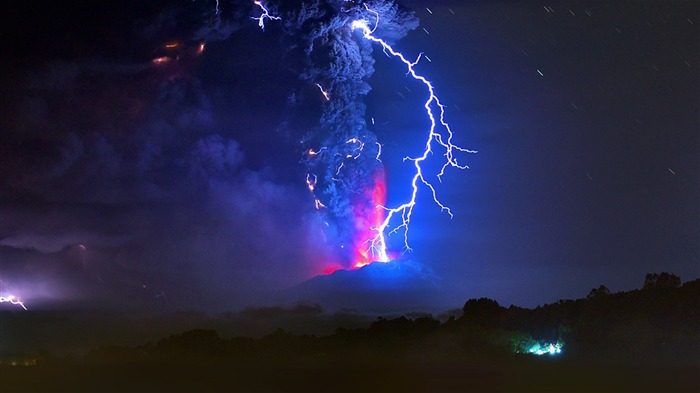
x: 394, y: 286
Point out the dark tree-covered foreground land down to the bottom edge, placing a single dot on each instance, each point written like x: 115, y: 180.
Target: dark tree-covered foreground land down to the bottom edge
x: 641, y: 340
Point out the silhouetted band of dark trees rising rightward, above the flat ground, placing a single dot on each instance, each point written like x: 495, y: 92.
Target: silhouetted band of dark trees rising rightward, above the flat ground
x: 660, y: 319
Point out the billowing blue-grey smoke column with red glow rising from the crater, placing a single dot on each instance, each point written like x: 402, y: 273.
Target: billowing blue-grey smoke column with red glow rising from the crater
x: 345, y: 172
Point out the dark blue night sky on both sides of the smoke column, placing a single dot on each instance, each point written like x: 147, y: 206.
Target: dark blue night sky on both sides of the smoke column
x: 124, y: 183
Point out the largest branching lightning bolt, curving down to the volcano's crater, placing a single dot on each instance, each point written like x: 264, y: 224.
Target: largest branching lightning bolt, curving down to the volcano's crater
x: 377, y: 245
